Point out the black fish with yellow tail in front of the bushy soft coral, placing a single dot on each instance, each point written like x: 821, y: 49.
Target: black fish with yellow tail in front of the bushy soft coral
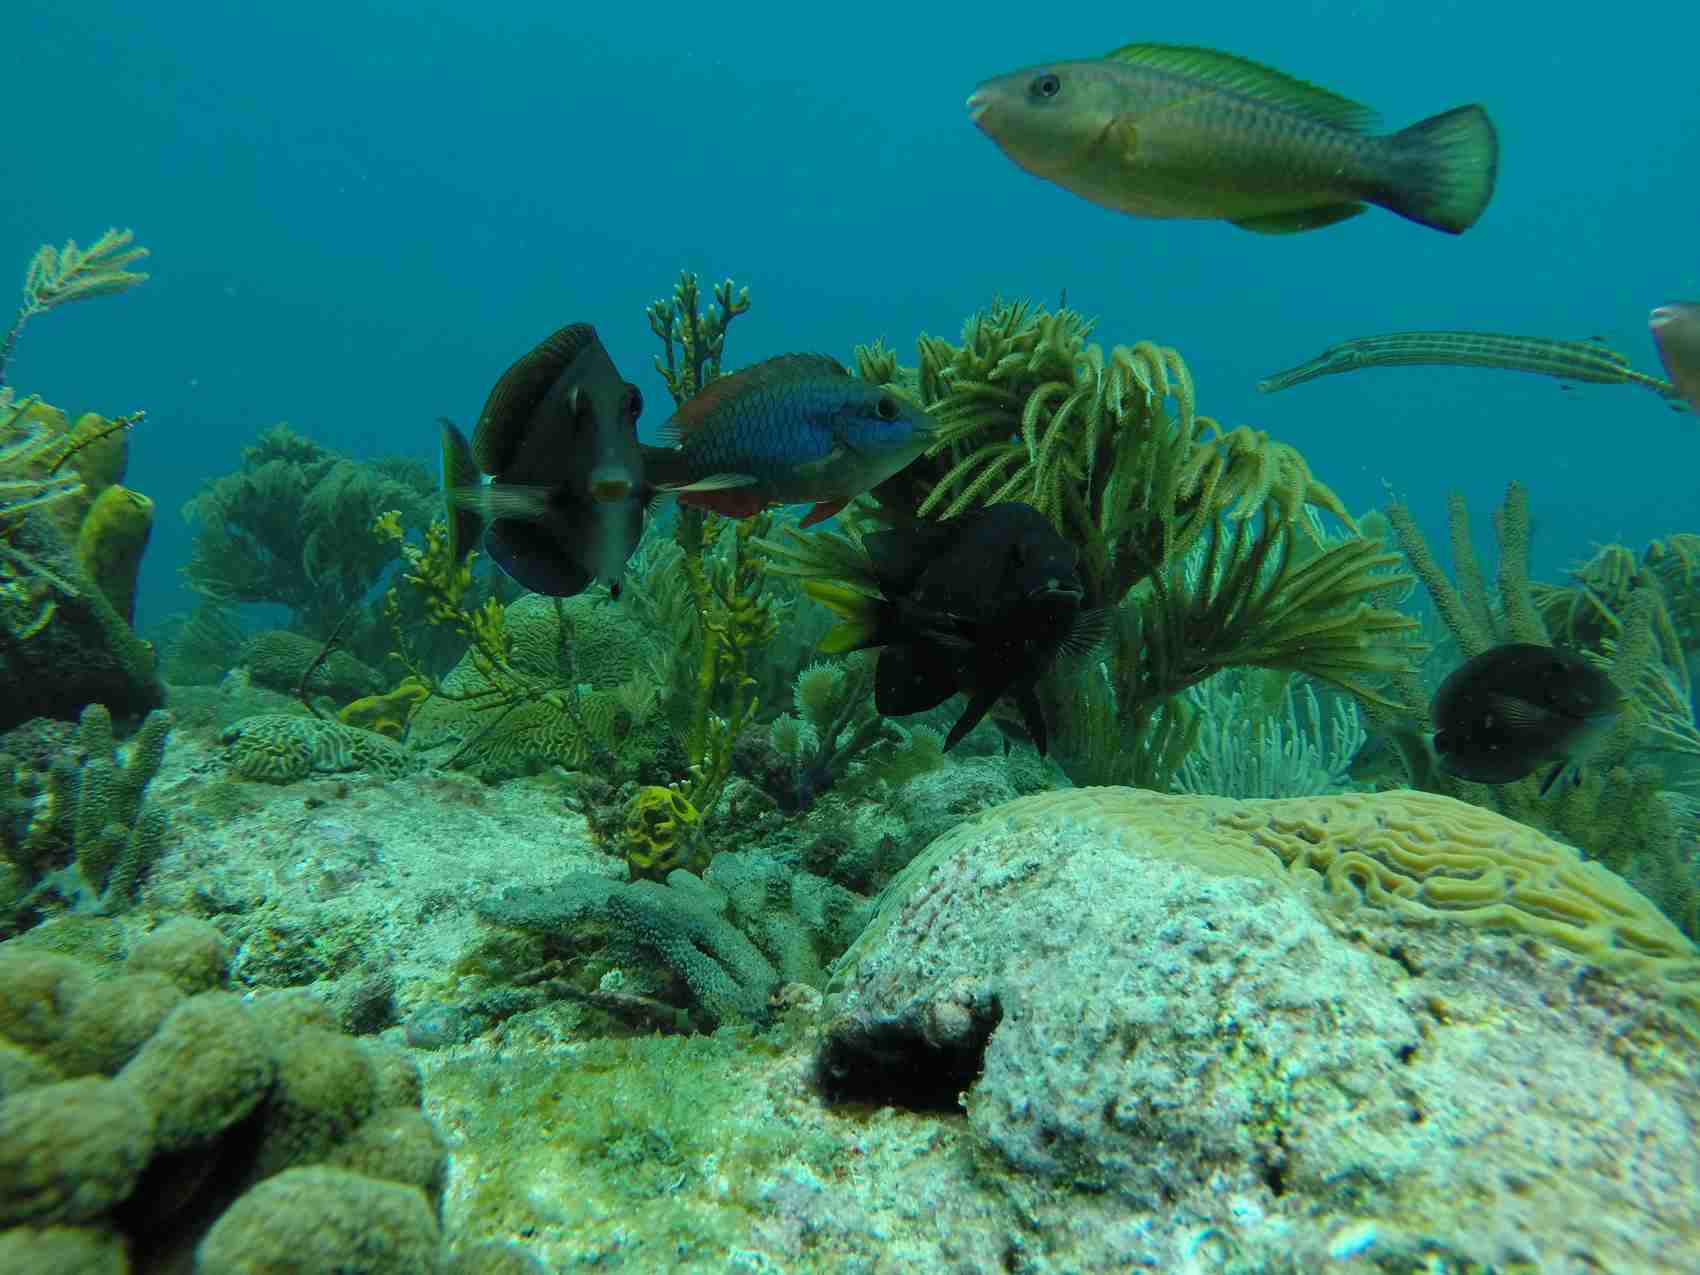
x: 980, y: 604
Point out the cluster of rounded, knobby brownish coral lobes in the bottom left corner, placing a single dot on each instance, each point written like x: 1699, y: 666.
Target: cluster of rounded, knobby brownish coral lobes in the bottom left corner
x: 251, y: 1130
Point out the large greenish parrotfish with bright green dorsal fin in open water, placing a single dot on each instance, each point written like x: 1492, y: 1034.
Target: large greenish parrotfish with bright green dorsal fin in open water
x: 1176, y: 132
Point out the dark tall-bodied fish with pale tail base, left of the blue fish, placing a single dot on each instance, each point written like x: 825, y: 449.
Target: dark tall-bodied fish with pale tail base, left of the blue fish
x: 558, y: 439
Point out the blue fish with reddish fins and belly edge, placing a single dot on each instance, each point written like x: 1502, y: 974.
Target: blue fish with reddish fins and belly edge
x: 790, y: 431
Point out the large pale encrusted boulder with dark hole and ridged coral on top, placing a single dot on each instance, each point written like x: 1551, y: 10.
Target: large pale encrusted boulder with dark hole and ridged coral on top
x: 1201, y: 1034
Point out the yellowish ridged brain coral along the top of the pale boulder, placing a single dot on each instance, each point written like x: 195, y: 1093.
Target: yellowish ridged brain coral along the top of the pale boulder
x: 1410, y: 853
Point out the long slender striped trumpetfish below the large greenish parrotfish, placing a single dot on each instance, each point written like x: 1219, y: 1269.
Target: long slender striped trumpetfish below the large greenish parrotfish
x: 1568, y: 361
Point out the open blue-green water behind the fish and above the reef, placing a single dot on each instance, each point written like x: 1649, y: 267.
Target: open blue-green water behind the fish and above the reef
x: 361, y: 213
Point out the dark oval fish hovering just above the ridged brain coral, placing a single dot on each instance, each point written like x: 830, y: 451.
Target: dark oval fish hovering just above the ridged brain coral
x: 1514, y: 708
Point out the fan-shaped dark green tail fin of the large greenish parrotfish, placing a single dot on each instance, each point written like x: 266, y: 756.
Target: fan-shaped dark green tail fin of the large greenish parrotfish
x: 1444, y: 171
